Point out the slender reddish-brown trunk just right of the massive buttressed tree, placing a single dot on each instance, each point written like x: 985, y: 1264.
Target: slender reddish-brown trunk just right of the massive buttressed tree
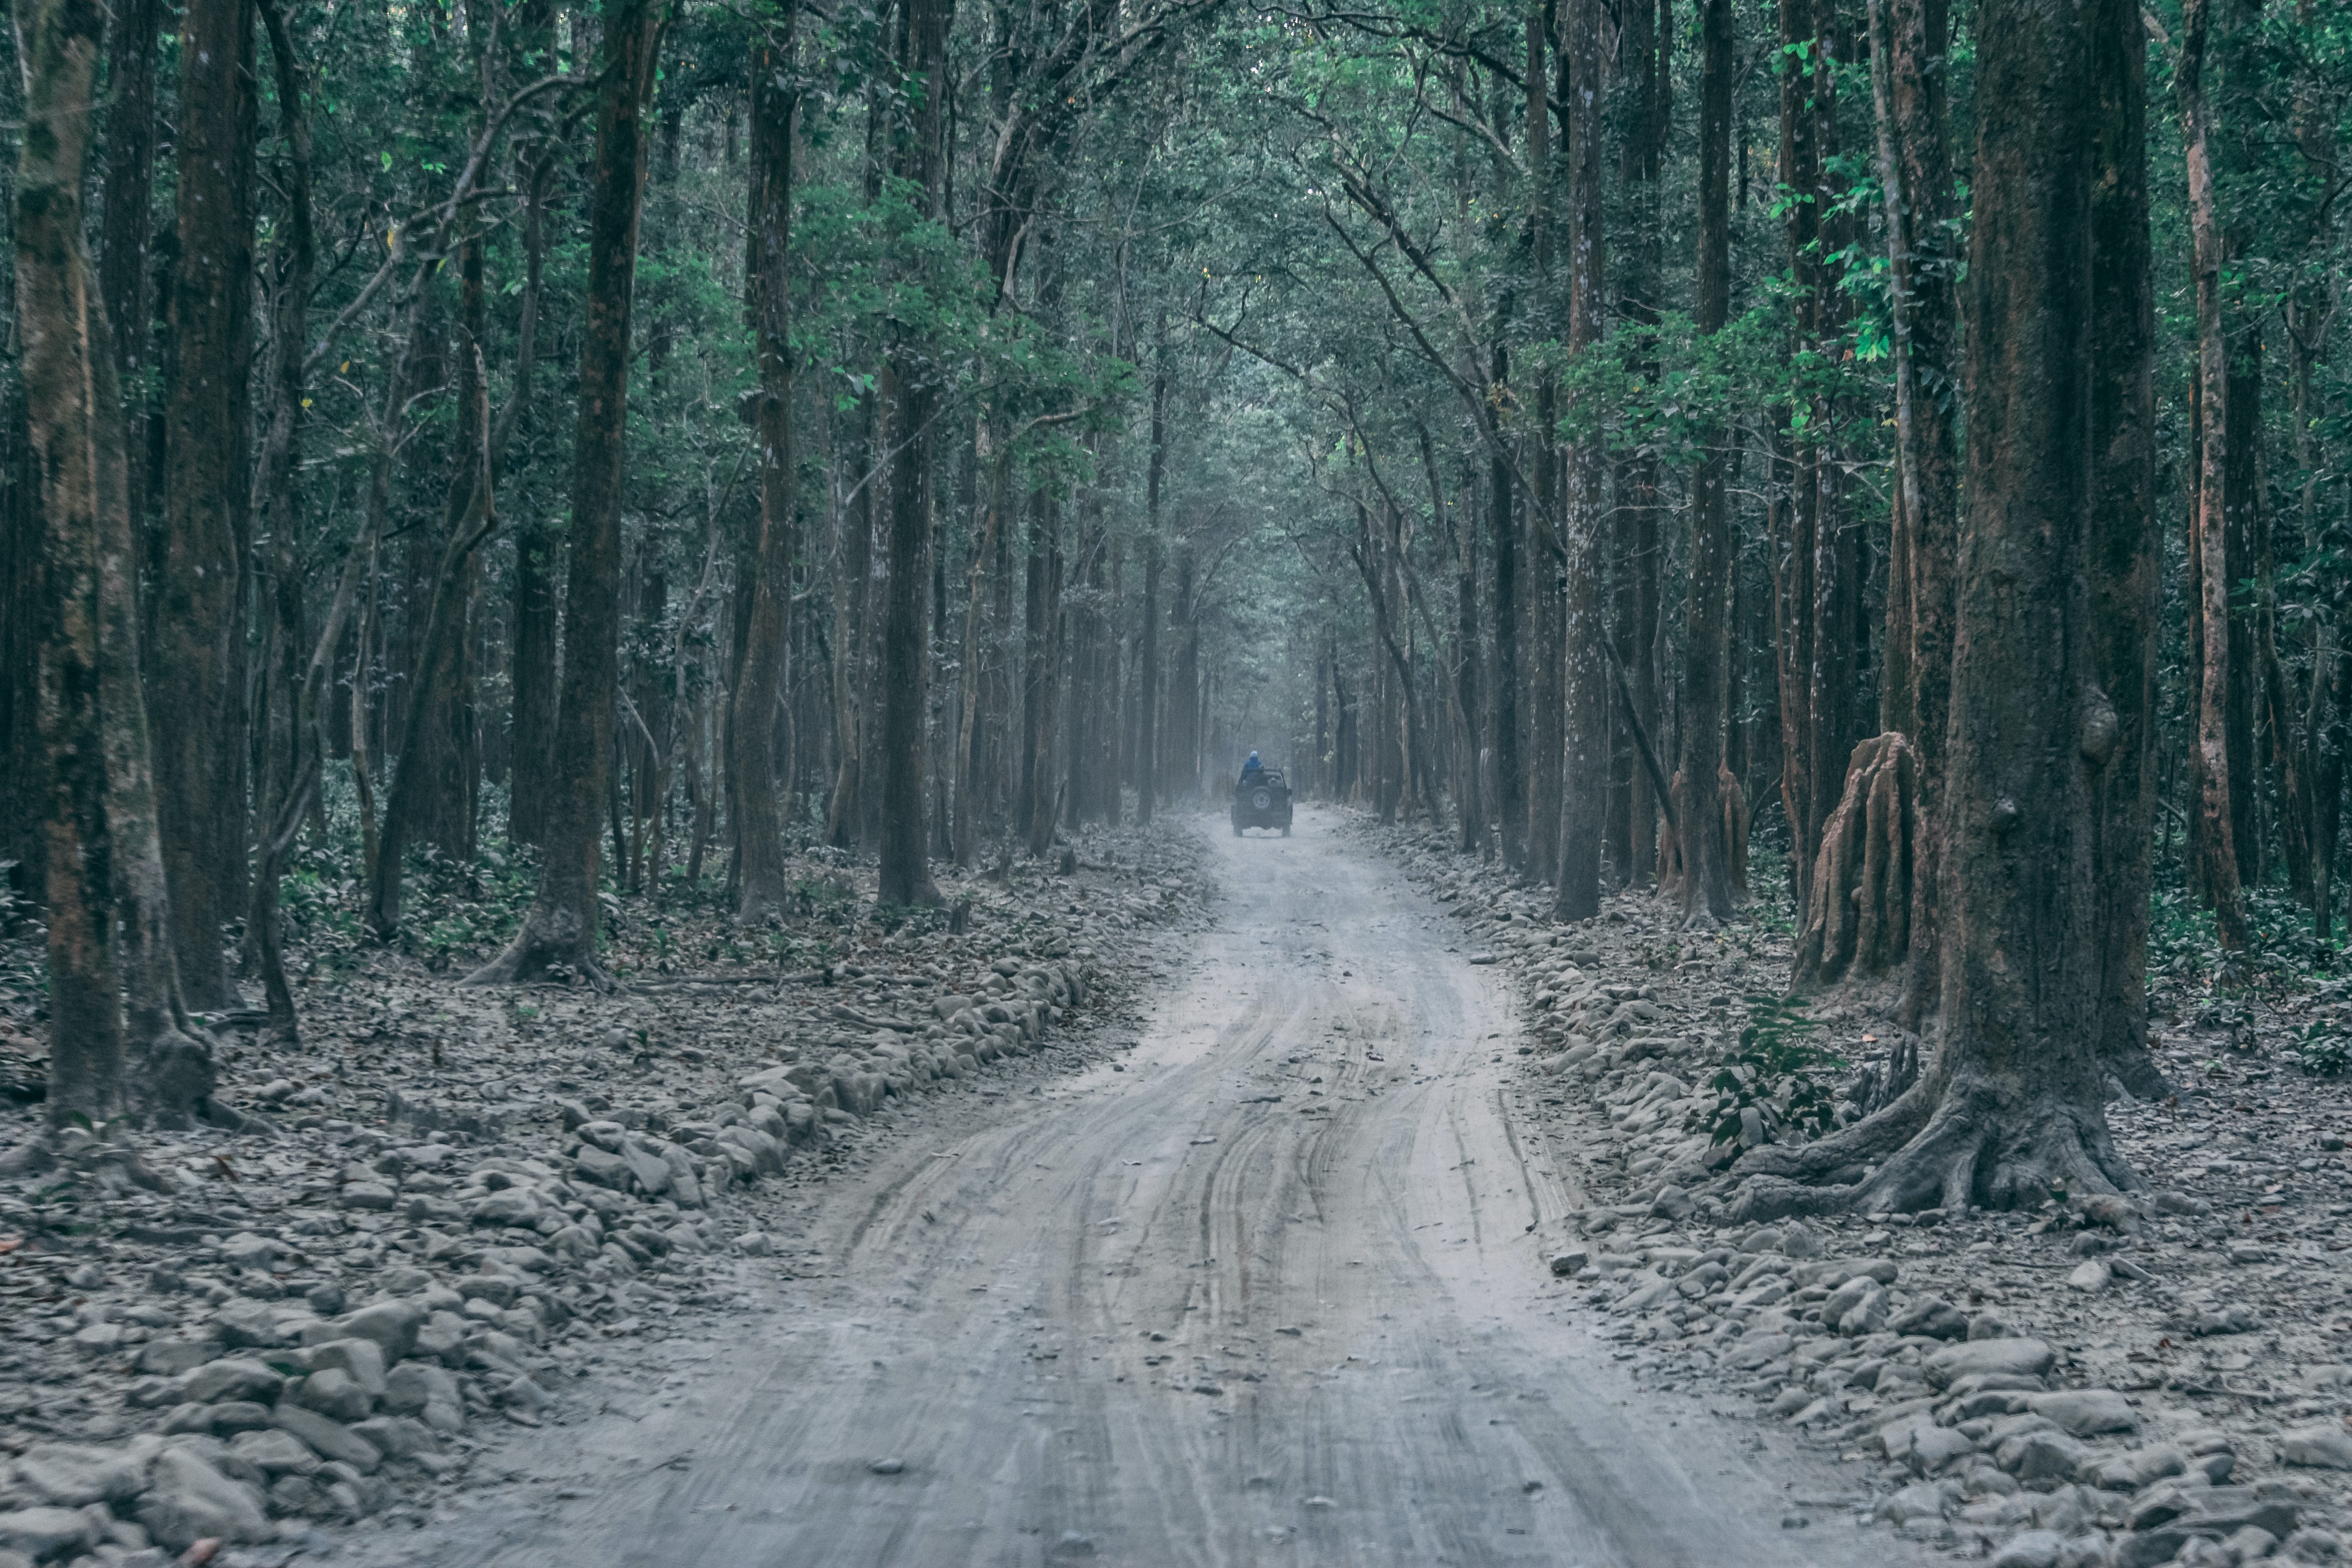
x: 2217, y: 843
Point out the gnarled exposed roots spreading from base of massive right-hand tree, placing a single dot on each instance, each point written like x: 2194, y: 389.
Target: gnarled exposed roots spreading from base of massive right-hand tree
x: 1979, y: 1146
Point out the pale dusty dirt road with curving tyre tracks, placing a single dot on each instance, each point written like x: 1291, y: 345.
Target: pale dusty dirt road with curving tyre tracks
x: 1262, y: 1296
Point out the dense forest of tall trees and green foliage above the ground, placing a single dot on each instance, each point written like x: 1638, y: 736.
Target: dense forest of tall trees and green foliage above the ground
x: 1862, y: 462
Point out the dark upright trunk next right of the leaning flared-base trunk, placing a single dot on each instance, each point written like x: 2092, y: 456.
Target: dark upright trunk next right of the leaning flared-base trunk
x: 751, y: 728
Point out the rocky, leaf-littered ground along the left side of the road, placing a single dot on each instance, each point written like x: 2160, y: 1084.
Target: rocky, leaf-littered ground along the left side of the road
x: 474, y: 1200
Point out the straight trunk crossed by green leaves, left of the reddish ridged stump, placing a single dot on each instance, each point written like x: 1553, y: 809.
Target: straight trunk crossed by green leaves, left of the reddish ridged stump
x: 1706, y: 855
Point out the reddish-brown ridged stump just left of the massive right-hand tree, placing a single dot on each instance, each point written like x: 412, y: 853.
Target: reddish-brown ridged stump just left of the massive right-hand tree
x: 1859, y: 909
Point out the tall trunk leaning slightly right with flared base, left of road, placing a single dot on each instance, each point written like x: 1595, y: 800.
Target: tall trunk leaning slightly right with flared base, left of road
x: 561, y: 927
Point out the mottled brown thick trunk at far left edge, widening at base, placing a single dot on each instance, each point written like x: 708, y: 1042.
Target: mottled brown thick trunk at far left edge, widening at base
x: 116, y: 1031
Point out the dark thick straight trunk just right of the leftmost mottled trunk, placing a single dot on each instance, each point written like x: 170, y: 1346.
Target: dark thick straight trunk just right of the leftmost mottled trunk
x: 199, y: 657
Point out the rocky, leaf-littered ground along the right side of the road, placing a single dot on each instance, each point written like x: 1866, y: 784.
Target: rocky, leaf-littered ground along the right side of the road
x: 2076, y: 1388
